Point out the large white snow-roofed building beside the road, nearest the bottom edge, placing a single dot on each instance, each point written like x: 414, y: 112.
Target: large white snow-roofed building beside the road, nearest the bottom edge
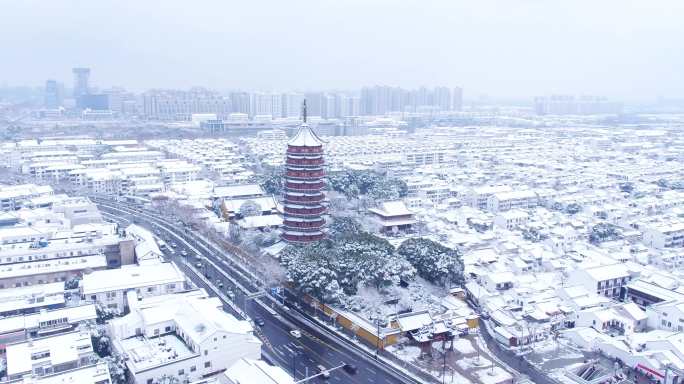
x: 188, y: 336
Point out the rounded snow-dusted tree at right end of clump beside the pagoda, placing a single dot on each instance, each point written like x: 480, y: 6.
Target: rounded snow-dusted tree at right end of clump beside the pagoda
x: 433, y: 261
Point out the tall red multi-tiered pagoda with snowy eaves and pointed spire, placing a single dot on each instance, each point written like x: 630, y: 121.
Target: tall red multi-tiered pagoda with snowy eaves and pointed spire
x: 304, y: 207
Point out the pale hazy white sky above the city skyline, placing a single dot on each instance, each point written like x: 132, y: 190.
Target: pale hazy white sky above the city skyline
x: 504, y: 48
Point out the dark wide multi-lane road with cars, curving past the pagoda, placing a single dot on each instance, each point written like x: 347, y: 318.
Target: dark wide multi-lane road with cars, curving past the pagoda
x: 302, y: 354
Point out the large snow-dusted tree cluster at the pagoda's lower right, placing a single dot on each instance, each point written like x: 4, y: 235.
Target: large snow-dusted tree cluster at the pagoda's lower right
x: 351, y: 258
